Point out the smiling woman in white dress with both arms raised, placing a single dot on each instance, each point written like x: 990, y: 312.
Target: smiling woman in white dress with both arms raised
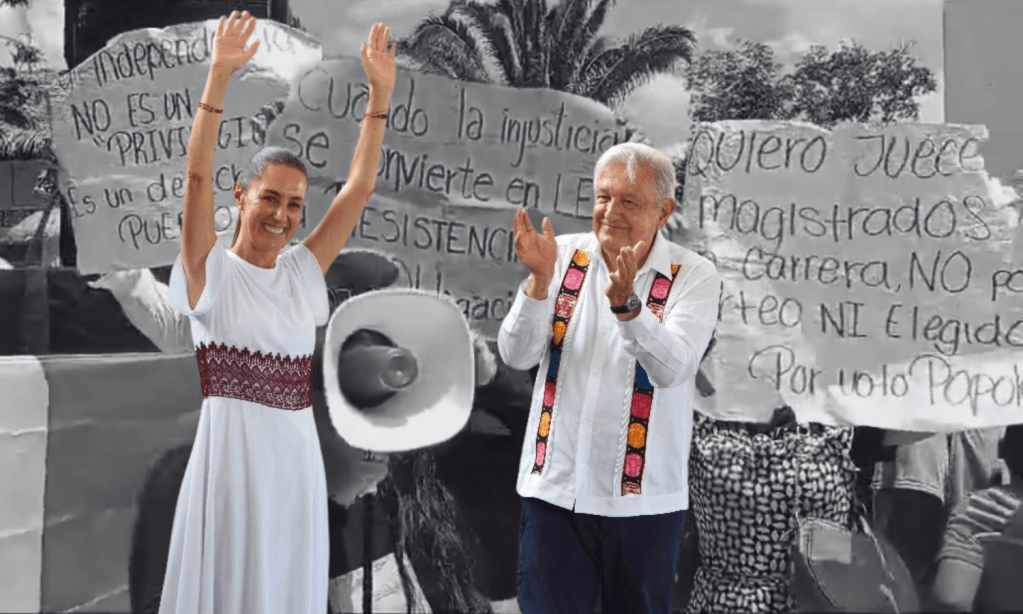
x: 250, y: 532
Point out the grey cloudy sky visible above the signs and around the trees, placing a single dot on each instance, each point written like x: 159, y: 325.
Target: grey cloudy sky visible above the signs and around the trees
x: 660, y: 108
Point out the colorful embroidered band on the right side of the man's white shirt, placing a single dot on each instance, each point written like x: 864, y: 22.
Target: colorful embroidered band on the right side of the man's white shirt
x: 643, y: 397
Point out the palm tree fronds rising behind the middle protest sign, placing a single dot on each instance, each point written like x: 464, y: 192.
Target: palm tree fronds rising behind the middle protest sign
x: 523, y: 43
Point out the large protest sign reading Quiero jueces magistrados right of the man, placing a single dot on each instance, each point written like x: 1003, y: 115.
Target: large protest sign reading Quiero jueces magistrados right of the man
x: 868, y: 275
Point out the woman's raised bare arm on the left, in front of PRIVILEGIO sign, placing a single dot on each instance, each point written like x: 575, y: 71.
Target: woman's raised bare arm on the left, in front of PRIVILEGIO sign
x: 198, y: 234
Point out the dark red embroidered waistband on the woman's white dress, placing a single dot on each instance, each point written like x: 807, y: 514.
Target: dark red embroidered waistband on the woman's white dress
x: 271, y: 380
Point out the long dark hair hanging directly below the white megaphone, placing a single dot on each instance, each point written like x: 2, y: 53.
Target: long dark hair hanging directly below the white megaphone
x: 430, y: 529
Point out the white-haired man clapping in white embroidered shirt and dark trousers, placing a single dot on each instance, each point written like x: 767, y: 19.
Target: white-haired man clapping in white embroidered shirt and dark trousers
x: 618, y: 321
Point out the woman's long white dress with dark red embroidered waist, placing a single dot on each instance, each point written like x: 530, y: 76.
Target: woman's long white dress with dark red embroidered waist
x: 251, y: 527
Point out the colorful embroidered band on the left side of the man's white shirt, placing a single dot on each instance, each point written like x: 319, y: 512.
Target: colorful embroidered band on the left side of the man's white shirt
x: 568, y: 296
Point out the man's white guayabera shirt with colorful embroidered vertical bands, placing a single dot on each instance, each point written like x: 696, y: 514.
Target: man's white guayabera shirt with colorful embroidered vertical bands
x: 595, y: 444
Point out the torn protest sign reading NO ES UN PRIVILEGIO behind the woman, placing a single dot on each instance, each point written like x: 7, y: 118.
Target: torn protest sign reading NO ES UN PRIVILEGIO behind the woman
x: 121, y: 136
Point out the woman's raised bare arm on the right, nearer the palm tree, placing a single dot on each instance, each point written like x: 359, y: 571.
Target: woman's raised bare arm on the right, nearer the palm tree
x: 327, y: 241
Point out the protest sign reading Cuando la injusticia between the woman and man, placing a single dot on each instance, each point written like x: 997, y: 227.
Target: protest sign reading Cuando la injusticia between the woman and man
x: 459, y: 160
